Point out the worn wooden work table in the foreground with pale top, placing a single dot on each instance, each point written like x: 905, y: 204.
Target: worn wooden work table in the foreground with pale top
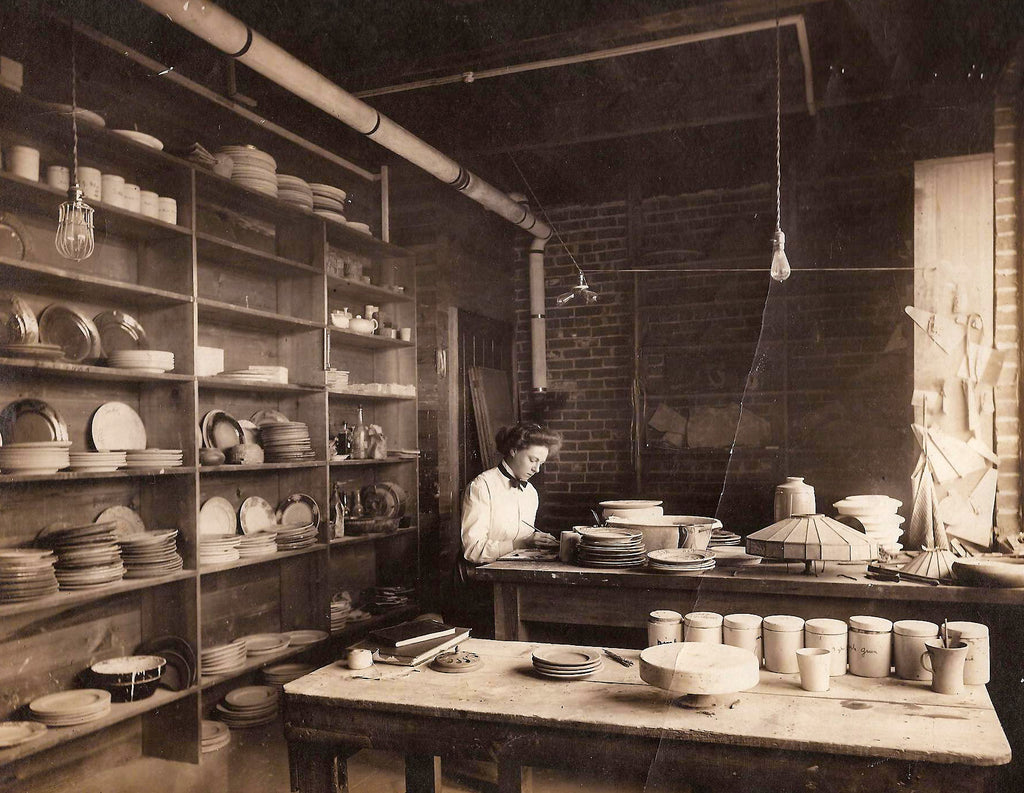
x: 864, y: 734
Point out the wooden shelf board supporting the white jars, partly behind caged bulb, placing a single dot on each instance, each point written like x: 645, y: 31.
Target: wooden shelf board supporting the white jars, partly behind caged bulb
x: 39, y: 198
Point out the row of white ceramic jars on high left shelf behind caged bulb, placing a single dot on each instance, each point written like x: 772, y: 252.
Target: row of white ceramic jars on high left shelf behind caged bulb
x: 111, y: 189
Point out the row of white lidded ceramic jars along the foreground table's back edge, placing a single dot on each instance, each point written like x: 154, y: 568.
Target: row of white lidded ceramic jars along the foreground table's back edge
x: 869, y: 647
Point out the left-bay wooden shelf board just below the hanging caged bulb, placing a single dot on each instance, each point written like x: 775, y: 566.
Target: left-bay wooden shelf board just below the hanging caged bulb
x: 33, y: 277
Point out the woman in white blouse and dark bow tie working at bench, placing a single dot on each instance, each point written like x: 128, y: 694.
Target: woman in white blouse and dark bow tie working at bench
x: 499, y: 509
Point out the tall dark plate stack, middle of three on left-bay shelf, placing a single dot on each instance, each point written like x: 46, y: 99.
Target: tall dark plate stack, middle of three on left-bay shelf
x: 88, y: 556
